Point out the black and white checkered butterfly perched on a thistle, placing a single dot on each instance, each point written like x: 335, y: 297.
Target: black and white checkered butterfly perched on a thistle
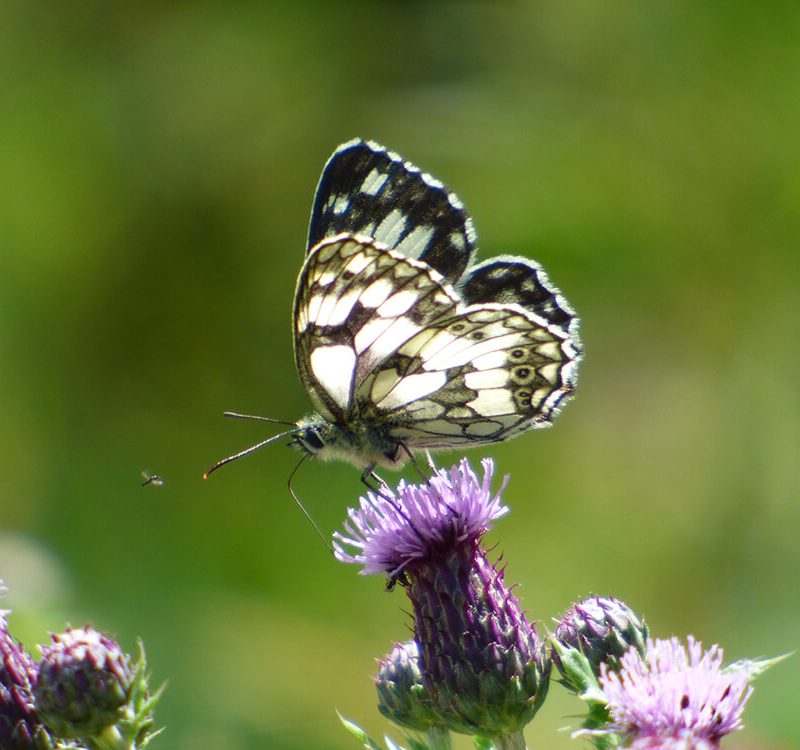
x: 402, y: 340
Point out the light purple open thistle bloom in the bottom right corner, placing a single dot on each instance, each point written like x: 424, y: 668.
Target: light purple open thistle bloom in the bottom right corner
x: 674, y: 697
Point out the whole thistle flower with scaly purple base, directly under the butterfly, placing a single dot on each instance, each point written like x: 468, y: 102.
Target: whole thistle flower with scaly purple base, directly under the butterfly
x: 480, y: 659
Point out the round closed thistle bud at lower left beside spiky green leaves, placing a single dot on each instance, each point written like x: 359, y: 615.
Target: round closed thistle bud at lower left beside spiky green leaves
x: 84, y: 679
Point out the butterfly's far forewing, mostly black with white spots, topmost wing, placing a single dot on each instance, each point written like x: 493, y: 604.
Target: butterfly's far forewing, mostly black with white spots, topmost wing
x: 366, y: 189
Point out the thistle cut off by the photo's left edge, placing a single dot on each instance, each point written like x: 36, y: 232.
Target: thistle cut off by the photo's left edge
x: 20, y: 728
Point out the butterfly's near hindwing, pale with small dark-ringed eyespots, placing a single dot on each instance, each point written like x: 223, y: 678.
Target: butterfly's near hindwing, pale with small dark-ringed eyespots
x: 481, y: 375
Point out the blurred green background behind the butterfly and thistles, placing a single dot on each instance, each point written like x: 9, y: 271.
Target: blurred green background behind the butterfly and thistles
x: 157, y: 166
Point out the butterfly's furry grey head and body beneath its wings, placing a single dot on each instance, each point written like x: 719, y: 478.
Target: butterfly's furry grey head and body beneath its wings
x: 361, y: 444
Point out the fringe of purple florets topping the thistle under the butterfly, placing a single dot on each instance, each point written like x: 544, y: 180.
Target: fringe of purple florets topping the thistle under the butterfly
x: 391, y: 531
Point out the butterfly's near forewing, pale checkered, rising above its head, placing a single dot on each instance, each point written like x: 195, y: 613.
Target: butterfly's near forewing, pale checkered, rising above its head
x: 356, y: 304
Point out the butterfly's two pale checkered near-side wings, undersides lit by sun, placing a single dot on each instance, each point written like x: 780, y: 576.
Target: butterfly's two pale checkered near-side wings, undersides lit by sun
x: 385, y: 340
